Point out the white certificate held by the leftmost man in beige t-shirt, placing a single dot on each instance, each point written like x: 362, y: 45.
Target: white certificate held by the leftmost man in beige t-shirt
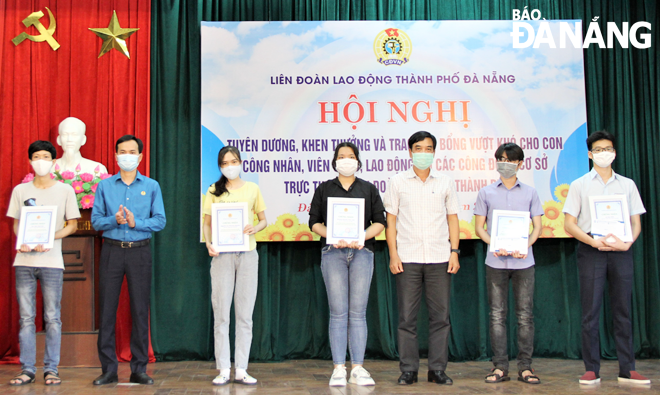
x: 37, y: 226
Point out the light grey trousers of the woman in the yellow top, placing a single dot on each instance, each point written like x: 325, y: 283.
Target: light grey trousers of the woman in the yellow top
x: 233, y: 273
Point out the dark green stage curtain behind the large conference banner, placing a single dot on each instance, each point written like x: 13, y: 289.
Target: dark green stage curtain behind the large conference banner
x: 291, y: 314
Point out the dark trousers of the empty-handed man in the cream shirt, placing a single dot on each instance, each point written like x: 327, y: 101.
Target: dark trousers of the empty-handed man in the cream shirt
x: 437, y: 283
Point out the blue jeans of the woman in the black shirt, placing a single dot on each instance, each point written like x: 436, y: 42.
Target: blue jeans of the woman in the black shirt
x: 347, y: 275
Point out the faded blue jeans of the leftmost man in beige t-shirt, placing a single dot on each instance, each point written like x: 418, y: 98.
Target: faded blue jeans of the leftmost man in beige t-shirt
x: 51, y: 289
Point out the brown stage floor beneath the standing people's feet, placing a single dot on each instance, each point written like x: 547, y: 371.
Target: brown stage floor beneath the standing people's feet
x: 311, y: 377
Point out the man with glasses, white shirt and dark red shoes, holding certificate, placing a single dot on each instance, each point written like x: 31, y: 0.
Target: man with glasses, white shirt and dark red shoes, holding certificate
x: 604, y: 260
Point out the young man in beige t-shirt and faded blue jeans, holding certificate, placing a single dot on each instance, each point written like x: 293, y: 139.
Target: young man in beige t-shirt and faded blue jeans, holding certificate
x: 39, y: 263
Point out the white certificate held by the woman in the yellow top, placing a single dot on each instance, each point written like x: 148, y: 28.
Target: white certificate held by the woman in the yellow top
x: 228, y: 220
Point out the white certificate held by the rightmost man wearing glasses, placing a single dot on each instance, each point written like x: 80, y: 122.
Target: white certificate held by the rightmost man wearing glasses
x: 609, y: 214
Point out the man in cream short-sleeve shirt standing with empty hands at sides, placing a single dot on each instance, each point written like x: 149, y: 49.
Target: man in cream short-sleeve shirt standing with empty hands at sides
x: 422, y: 236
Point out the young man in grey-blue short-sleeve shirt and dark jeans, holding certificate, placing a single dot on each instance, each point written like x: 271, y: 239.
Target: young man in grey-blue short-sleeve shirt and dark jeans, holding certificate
x: 508, y: 193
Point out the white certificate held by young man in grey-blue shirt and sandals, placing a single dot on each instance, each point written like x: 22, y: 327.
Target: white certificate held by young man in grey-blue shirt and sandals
x: 510, y: 231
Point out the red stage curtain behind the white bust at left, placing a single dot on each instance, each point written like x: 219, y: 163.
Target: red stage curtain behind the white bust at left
x: 40, y: 87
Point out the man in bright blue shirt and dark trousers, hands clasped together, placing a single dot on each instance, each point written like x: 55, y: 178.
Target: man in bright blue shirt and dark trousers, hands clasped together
x: 128, y: 207
